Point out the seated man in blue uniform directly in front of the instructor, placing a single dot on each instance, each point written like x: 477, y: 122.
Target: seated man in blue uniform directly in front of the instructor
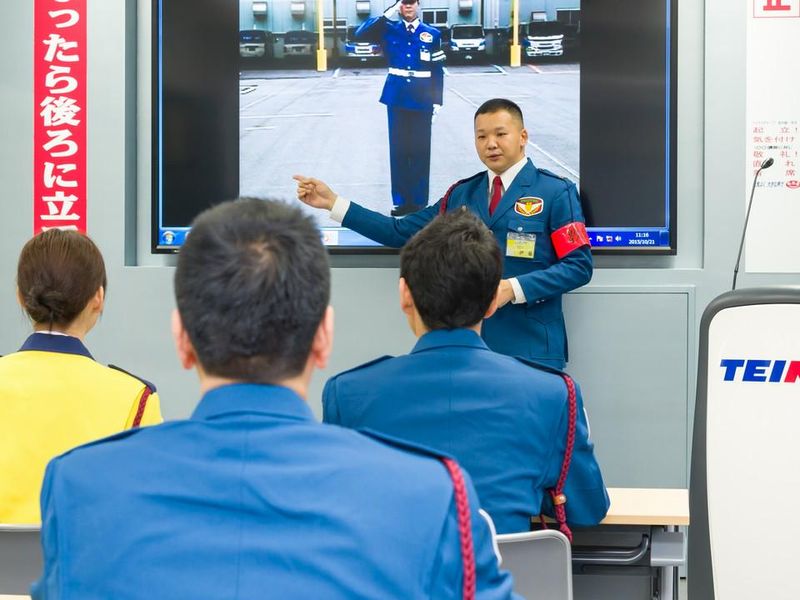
x: 506, y: 420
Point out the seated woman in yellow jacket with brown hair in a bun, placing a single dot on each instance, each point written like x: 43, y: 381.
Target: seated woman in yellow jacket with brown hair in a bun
x: 53, y: 395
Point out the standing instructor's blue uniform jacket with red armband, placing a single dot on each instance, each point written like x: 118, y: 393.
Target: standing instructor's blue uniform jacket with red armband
x: 537, y: 203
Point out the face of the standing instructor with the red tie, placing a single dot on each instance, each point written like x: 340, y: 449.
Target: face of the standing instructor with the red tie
x: 499, y: 140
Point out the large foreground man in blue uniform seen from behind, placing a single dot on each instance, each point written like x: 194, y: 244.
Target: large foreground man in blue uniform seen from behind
x: 251, y: 497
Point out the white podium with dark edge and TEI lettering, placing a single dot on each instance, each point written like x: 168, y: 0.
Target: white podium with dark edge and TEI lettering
x: 745, y: 479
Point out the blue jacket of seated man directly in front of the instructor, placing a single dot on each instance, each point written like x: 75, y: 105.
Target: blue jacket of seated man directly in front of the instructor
x: 504, y: 420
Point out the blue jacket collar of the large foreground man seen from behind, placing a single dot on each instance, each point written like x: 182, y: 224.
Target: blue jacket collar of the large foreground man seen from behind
x: 265, y: 399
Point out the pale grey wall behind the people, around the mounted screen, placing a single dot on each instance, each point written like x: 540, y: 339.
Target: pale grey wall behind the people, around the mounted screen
x: 633, y: 330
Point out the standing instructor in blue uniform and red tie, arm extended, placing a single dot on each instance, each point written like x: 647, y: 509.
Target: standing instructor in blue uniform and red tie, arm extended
x: 535, y: 216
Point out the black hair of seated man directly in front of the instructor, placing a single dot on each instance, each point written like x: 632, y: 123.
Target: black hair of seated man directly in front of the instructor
x: 452, y: 268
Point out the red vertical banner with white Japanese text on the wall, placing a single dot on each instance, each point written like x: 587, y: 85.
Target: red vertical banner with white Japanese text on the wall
x: 59, y: 109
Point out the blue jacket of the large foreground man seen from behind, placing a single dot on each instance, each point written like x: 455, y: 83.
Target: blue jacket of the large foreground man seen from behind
x: 252, y: 498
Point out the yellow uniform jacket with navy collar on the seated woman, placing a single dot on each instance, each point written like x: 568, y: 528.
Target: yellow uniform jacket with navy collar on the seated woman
x: 55, y: 396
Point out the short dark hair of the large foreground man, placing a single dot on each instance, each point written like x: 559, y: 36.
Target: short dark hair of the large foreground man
x: 252, y: 285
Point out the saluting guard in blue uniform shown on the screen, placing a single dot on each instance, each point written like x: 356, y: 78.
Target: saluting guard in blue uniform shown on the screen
x: 412, y: 94
